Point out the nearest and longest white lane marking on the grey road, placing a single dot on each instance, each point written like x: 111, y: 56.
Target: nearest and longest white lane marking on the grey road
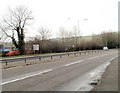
x: 27, y: 76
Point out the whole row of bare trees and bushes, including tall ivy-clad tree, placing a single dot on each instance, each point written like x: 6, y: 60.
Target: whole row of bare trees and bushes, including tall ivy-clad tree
x: 13, y: 26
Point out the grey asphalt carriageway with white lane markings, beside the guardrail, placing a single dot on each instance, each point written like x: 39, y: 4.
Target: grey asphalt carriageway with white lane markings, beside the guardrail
x: 53, y: 75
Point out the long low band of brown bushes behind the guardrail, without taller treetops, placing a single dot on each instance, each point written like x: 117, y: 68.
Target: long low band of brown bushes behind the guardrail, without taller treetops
x: 69, y: 44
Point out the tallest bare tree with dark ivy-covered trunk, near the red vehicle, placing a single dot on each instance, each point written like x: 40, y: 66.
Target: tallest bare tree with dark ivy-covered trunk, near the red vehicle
x: 14, y: 24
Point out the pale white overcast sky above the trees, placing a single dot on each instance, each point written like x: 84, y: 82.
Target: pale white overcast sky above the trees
x: 102, y: 15
